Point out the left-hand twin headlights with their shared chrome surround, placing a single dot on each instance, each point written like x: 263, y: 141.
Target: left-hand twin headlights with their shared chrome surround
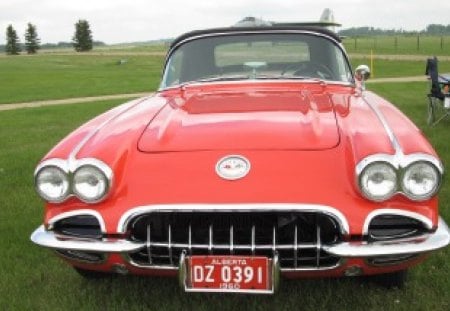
x: 89, y: 180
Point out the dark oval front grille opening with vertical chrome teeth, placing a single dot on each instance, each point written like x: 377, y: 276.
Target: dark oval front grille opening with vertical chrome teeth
x: 297, y: 237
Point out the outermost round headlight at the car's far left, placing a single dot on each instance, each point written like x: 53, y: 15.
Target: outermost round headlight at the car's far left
x: 52, y: 184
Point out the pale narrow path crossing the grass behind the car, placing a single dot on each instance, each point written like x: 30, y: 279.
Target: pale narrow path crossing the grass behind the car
x: 136, y: 95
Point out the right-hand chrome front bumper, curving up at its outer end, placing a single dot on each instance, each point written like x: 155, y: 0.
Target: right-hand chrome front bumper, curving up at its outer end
x: 422, y: 244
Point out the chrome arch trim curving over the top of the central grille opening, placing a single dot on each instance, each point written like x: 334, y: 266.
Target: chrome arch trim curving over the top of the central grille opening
x: 251, y: 207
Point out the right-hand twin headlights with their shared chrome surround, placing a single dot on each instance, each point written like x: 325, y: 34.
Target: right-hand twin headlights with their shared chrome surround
x: 417, y: 177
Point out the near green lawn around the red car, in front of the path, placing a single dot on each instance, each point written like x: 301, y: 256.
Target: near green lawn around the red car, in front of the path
x: 33, y: 278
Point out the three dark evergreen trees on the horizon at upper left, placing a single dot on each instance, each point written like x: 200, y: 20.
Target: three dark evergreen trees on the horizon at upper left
x: 81, y: 41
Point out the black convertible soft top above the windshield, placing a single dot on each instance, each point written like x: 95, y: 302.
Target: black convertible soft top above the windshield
x: 230, y: 30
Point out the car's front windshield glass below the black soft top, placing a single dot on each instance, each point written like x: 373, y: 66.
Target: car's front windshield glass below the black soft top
x: 256, y: 56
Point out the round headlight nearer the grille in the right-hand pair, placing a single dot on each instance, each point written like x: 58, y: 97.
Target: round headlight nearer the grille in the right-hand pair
x: 378, y: 181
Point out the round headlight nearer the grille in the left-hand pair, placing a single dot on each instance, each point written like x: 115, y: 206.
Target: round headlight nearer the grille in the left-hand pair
x: 90, y: 184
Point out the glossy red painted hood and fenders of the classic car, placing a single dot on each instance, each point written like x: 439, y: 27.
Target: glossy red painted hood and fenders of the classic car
x: 303, y: 141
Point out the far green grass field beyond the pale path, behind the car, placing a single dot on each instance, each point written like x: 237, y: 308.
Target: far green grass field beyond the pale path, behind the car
x: 66, y: 74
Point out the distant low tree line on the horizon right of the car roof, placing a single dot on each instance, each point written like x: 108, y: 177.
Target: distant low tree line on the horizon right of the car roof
x: 431, y: 29
